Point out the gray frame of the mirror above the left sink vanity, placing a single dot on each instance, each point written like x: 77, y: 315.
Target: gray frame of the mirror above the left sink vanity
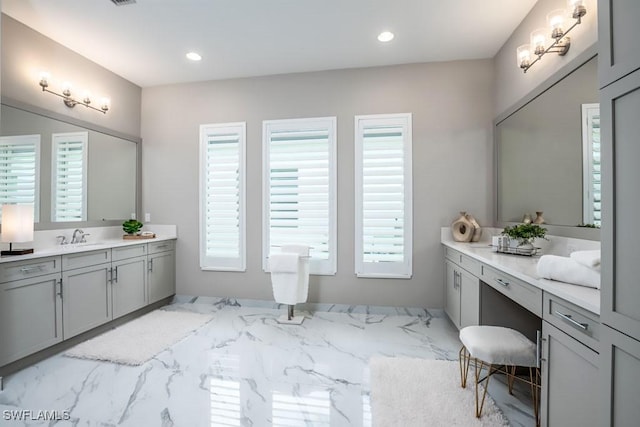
x: 90, y: 126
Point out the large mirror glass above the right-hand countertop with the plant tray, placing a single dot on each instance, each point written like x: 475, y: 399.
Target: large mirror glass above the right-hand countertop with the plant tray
x: 547, y: 153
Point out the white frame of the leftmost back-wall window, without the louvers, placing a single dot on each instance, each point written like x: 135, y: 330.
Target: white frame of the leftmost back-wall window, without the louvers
x: 210, y: 263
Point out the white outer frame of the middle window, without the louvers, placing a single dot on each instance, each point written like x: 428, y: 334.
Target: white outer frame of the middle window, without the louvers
x: 317, y: 266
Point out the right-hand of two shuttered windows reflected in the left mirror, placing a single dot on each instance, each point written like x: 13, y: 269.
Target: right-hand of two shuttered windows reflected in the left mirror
x: 69, y: 176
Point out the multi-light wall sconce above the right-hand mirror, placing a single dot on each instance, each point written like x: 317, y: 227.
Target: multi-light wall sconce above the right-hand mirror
x: 556, y: 21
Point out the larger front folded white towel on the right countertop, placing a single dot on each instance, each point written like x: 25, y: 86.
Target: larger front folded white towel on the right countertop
x: 567, y: 270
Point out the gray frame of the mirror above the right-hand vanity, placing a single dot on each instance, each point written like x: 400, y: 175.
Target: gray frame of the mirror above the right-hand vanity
x: 570, y: 67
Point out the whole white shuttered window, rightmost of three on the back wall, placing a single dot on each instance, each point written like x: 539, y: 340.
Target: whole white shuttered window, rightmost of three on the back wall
x: 383, y: 236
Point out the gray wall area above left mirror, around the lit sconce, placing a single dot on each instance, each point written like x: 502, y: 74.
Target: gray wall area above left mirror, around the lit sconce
x: 26, y: 53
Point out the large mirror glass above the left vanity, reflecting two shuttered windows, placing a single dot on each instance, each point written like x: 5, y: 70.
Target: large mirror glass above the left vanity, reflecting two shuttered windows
x: 75, y: 174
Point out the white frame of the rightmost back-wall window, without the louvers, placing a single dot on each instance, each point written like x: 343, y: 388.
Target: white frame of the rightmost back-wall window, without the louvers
x: 395, y: 270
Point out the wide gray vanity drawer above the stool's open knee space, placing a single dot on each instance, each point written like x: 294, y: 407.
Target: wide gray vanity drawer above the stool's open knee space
x: 526, y: 295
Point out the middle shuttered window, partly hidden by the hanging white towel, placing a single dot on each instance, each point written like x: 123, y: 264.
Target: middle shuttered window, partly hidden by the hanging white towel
x: 300, y: 189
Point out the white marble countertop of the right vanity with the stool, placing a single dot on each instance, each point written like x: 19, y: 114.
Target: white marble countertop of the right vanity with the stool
x: 524, y: 268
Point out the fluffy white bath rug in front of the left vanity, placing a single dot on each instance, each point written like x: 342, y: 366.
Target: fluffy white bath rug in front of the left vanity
x: 139, y: 340
